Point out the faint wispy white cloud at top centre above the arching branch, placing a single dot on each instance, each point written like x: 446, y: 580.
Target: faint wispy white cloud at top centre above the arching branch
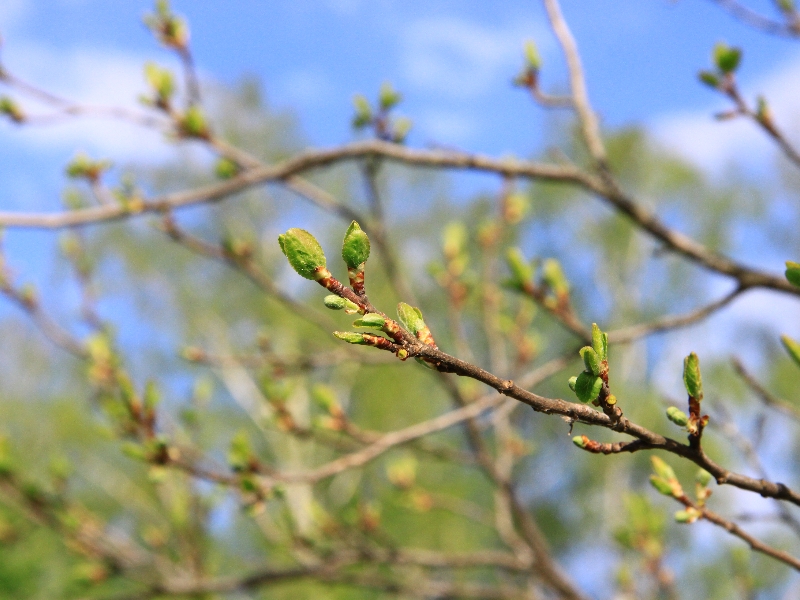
x: 458, y: 58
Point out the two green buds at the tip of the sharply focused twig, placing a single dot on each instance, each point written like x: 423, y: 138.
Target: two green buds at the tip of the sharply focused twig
x: 306, y: 257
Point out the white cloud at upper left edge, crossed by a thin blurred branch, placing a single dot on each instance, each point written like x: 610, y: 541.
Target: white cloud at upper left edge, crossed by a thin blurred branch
x: 88, y: 76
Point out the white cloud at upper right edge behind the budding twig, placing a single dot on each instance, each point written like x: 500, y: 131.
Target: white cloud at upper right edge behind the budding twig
x: 714, y: 144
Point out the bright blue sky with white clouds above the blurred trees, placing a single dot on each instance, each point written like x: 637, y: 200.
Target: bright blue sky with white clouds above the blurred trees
x: 453, y: 60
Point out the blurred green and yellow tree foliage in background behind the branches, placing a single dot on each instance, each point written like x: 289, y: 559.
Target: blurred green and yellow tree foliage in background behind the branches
x: 610, y: 530
